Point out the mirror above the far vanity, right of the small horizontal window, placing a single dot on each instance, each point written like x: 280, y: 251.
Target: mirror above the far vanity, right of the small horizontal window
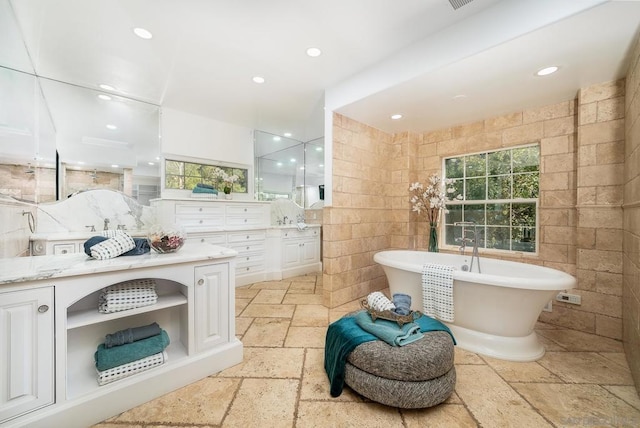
x: 289, y: 169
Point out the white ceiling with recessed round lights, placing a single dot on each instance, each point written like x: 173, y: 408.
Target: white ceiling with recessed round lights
x: 379, y: 56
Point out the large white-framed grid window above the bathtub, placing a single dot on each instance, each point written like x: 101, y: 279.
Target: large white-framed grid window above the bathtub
x: 499, y: 194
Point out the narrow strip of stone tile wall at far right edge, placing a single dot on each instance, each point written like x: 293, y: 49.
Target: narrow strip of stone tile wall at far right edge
x: 631, y: 218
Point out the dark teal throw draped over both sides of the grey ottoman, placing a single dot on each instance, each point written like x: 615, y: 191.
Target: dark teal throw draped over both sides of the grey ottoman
x: 344, y: 335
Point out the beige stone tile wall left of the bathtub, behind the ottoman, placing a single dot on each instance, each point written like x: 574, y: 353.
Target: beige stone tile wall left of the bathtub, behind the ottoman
x: 360, y: 221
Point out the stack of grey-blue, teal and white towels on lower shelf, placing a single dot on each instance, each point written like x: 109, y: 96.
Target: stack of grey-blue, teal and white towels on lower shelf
x: 123, y: 360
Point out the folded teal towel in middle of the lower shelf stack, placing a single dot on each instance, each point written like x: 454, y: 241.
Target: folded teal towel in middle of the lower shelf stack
x: 108, y: 358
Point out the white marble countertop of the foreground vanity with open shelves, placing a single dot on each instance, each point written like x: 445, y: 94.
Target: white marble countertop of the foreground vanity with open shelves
x: 23, y: 269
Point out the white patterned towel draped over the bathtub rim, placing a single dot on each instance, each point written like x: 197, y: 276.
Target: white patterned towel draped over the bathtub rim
x: 437, y: 291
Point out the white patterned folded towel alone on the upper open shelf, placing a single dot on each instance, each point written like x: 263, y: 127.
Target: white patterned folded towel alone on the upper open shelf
x: 127, y: 295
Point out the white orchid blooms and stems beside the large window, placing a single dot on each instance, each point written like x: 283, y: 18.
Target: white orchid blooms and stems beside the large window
x: 432, y: 198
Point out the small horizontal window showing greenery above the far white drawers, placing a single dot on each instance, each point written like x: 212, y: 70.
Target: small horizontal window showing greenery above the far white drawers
x: 186, y: 175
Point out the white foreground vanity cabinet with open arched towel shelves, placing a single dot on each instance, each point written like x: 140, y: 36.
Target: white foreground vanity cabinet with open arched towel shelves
x: 59, y: 384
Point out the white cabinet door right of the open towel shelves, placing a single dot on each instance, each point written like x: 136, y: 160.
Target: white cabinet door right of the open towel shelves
x: 211, y: 306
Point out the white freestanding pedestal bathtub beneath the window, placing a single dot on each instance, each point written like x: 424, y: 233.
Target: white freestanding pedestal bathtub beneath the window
x: 495, y: 311
